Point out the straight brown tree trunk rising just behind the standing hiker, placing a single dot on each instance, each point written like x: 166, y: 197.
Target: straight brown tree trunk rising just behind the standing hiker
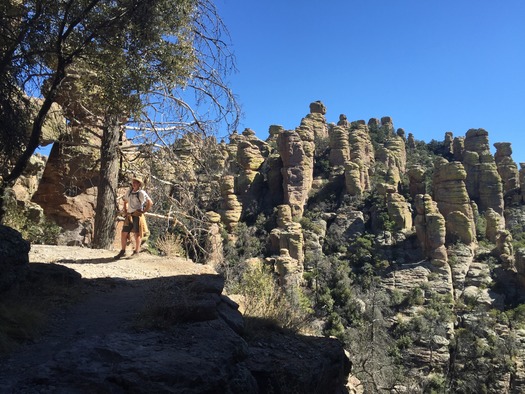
x: 106, y: 210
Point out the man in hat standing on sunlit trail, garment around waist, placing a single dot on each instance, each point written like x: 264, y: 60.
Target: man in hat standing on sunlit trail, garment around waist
x: 136, y: 203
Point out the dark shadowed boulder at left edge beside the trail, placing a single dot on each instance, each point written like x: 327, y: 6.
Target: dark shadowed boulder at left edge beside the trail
x: 14, y: 257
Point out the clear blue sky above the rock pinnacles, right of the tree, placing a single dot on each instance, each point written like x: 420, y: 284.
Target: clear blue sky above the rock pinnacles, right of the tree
x: 433, y: 66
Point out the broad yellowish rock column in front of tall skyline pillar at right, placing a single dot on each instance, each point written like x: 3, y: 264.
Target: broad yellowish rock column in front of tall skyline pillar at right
x: 453, y: 201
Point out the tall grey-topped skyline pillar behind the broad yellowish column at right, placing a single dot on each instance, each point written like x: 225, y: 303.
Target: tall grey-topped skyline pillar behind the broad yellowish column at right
x: 483, y: 181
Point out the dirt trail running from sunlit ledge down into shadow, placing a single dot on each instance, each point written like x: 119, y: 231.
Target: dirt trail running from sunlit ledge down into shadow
x: 113, y: 293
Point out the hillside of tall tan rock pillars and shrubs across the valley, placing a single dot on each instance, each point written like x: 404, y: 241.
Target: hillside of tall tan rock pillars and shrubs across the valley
x: 354, y: 214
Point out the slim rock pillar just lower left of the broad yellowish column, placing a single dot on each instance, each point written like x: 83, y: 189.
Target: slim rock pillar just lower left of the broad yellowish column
x: 430, y: 229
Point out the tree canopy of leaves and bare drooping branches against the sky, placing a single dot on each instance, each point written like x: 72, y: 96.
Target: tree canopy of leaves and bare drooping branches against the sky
x: 136, y: 59
